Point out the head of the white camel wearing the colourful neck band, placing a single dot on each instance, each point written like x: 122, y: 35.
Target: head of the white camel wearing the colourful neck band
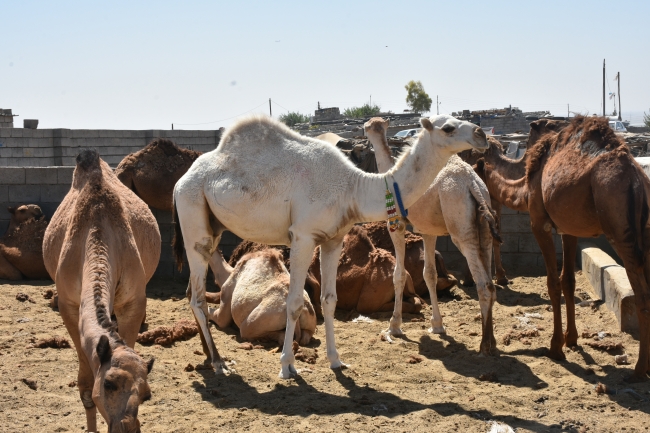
x: 452, y: 135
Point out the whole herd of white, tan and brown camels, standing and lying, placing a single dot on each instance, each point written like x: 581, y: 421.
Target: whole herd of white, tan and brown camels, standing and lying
x: 271, y: 186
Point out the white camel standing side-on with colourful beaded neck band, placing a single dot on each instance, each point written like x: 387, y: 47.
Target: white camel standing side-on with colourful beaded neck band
x: 268, y: 184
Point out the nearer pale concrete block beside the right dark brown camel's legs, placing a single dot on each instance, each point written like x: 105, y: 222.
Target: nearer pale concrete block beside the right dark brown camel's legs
x: 619, y: 298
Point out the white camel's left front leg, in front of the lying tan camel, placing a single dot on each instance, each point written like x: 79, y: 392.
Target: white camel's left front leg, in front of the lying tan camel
x: 302, y: 248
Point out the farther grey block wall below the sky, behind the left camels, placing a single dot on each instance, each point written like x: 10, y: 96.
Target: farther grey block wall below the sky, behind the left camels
x: 20, y: 147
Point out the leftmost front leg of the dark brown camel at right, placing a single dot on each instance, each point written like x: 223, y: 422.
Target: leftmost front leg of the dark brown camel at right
x: 544, y: 236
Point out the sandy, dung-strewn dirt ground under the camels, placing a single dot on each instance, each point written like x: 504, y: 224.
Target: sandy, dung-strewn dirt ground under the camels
x: 386, y: 388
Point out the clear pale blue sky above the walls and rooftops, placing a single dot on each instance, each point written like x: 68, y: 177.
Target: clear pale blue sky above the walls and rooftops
x: 148, y: 64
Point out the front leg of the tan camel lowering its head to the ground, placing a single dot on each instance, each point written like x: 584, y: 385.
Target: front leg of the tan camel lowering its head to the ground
x: 85, y: 377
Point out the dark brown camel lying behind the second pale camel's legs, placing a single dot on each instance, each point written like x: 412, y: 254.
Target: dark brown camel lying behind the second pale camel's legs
x: 414, y: 259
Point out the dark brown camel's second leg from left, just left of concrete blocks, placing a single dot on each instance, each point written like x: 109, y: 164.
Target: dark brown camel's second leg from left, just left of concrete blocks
x: 568, y: 283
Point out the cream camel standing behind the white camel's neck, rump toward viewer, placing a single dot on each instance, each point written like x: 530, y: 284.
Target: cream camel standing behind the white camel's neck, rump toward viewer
x: 455, y: 204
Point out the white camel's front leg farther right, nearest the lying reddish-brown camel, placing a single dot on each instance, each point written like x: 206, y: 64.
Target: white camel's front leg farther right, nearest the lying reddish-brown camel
x: 329, y: 261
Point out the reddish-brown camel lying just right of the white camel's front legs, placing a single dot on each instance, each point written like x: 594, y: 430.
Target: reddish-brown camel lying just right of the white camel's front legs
x: 364, y: 278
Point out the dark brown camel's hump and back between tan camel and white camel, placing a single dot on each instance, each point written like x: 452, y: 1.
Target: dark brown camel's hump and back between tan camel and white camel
x: 153, y: 171
